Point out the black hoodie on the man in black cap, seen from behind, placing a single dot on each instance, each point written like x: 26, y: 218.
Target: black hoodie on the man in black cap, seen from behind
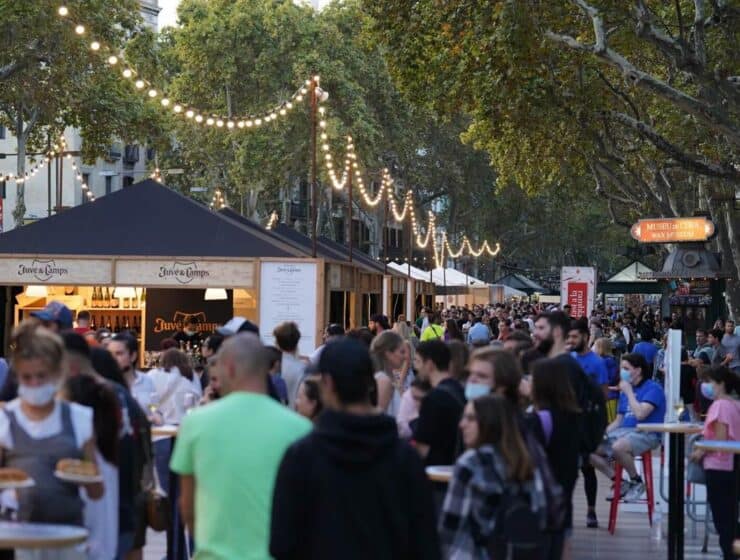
x: 352, y: 489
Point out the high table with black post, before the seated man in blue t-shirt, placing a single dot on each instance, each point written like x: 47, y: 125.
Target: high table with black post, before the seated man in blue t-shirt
x: 676, y: 449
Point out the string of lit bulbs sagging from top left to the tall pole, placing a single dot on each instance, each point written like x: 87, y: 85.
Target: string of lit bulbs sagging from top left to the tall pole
x: 191, y: 113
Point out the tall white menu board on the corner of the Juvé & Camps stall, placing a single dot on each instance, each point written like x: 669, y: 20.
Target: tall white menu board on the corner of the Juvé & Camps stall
x: 288, y: 292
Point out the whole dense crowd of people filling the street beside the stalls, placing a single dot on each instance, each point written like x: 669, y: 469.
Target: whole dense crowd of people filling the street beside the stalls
x: 323, y: 456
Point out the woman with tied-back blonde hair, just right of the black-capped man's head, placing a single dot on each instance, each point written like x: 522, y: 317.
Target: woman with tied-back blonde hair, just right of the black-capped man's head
x: 390, y: 353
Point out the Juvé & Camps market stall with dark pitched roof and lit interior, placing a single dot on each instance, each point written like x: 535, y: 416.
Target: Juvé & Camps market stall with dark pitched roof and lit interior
x: 122, y: 256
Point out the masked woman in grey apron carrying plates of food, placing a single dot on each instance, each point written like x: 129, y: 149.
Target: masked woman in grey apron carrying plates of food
x: 38, y: 429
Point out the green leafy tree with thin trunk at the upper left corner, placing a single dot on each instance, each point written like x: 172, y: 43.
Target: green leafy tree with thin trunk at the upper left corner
x: 50, y: 78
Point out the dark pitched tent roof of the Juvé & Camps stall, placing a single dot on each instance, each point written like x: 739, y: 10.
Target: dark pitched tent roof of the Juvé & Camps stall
x: 145, y: 219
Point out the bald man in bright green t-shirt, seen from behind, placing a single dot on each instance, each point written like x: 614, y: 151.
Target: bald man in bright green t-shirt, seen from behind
x: 228, y: 452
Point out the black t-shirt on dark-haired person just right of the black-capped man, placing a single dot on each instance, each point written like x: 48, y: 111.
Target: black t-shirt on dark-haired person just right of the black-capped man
x: 439, y: 416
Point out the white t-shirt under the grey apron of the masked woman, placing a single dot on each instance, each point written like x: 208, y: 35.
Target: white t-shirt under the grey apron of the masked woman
x: 82, y: 423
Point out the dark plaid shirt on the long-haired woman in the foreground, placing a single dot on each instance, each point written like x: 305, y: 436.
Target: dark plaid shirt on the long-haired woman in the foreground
x: 468, y: 515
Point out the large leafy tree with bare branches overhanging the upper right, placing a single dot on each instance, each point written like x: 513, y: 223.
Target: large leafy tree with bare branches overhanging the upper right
x: 639, y: 96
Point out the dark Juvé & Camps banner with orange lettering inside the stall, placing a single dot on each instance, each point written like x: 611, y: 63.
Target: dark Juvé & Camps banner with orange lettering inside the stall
x: 168, y: 310
